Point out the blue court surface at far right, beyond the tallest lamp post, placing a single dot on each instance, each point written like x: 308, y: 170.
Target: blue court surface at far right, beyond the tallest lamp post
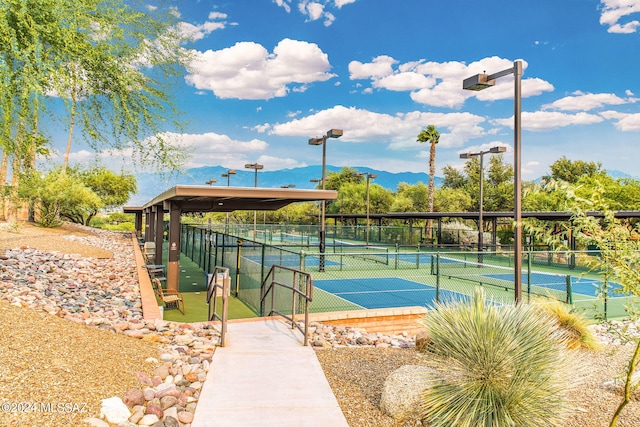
x: 579, y: 285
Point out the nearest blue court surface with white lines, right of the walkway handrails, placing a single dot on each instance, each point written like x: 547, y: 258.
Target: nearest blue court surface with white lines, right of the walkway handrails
x: 386, y: 292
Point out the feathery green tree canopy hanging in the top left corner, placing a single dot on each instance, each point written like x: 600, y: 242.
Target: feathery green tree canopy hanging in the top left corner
x: 111, y: 61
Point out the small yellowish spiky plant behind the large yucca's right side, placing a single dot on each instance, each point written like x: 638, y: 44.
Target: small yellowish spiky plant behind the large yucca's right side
x: 575, y: 324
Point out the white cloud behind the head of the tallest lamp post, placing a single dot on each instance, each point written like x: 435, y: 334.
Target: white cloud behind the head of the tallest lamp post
x: 440, y: 84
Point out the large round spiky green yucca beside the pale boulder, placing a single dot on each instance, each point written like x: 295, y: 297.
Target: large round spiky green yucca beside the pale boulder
x: 496, y: 366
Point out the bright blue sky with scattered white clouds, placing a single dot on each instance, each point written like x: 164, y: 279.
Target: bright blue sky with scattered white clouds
x: 268, y: 75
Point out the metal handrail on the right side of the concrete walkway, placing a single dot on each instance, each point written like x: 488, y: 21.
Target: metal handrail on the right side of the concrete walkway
x: 269, y: 288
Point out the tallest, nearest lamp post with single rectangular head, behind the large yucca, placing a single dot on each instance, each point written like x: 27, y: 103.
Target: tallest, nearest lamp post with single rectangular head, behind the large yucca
x: 483, y: 81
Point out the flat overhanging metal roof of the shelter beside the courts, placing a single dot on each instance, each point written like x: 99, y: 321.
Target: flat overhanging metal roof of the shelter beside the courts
x: 200, y: 198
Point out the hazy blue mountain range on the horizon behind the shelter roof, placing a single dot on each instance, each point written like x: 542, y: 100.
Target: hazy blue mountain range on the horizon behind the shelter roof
x: 151, y: 185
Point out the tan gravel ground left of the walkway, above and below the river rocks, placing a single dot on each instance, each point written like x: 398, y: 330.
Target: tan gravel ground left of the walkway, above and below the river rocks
x: 48, y: 360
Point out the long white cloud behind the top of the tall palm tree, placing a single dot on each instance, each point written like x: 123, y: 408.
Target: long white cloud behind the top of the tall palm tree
x: 398, y: 132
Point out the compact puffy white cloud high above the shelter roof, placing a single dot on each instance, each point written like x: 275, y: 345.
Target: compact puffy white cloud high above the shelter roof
x: 247, y: 70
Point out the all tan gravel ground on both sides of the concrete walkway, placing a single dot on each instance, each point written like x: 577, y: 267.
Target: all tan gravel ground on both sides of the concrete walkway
x: 47, y: 359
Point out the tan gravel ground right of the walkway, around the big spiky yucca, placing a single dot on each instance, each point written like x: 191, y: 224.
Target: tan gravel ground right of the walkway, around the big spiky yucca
x: 357, y: 377
